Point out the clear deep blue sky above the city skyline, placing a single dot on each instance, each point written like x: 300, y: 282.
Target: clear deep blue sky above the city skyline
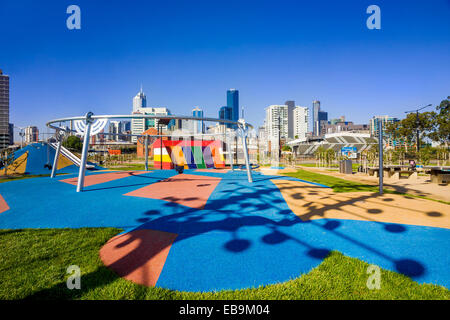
x: 188, y: 53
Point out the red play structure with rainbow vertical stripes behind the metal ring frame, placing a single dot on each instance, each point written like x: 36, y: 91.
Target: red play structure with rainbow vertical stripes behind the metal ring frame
x: 192, y: 154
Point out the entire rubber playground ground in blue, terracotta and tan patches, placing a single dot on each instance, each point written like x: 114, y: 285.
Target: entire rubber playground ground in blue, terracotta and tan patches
x: 210, y: 230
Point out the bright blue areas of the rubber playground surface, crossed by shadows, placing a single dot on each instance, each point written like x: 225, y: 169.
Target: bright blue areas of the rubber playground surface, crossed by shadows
x: 246, y: 235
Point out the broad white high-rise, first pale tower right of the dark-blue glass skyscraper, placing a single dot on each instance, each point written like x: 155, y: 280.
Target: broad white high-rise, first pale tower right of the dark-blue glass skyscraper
x: 277, y: 122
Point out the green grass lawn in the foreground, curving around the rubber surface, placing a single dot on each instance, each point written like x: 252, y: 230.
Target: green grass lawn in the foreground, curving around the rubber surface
x: 34, y: 262
